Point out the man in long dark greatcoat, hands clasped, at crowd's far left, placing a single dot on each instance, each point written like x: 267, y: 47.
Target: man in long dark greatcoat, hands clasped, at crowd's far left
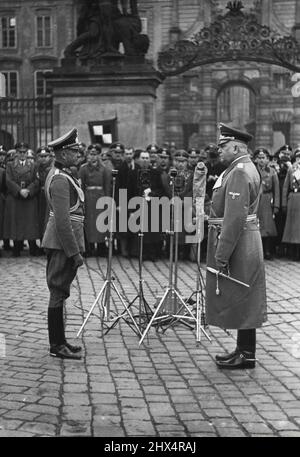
x: 21, y: 208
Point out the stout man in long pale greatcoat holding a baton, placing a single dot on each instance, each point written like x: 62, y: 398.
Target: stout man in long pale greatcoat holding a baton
x: 234, y: 250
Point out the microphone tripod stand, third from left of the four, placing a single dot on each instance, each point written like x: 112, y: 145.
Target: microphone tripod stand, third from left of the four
x: 168, y: 303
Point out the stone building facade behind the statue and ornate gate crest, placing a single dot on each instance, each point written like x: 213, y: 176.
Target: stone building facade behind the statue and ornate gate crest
x: 254, y: 95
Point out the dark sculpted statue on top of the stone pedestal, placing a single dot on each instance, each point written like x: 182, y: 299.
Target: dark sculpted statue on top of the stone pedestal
x: 102, y: 27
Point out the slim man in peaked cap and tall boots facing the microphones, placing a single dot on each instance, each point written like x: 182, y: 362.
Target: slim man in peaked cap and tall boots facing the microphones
x: 63, y: 240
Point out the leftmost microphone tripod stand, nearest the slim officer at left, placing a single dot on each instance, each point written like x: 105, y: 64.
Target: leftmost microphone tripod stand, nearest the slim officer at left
x: 105, y: 292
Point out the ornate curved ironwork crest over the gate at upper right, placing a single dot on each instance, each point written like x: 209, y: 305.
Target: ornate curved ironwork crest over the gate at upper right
x: 233, y: 37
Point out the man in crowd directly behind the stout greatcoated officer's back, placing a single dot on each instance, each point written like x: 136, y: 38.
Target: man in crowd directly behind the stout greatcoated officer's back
x: 269, y: 201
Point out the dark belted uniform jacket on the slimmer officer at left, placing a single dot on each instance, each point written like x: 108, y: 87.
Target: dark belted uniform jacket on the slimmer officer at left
x: 64, y: 229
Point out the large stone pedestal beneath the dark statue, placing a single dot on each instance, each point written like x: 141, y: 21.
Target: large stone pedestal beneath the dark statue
x: 115, y: 88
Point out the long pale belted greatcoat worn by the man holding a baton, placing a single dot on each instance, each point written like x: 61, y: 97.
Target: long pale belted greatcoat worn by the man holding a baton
x: 234, y: 240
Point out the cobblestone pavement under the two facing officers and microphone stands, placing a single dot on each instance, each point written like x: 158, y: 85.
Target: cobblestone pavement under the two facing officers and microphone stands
x: 168, y: 387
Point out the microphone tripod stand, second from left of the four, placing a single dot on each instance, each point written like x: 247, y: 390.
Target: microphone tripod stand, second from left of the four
x: 144, y: 310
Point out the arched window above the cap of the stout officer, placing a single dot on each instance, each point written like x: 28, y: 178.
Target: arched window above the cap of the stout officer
x: 236, y: 105
